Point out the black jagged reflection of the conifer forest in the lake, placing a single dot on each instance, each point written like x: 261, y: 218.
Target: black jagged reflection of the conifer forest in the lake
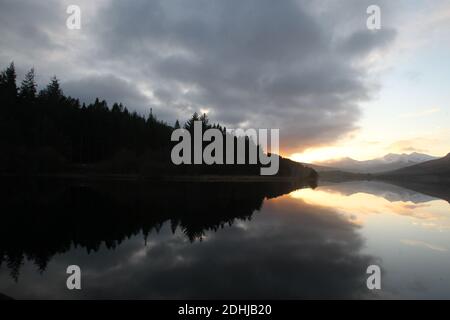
x: 45, y: 219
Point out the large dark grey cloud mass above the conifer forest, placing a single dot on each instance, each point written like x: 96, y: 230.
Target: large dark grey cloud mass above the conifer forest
x: 294, y: 65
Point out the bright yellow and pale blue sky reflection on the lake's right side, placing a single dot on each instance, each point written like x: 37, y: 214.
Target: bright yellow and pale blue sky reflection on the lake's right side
x: 408, y: 231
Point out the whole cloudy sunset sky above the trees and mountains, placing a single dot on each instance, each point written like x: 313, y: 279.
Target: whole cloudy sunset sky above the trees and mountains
x: 308, y: 67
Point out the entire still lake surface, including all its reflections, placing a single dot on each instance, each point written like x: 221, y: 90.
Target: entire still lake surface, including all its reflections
x: 222, y: 241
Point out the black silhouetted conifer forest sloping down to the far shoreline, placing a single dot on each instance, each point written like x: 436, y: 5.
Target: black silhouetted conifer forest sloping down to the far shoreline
x: 47, y: 131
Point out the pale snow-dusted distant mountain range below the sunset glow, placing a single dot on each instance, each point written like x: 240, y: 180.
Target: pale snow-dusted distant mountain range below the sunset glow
x: 389, y: 162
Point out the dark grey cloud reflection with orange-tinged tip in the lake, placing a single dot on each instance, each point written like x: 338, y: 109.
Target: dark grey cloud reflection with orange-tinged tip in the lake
x: 289, y: 250
